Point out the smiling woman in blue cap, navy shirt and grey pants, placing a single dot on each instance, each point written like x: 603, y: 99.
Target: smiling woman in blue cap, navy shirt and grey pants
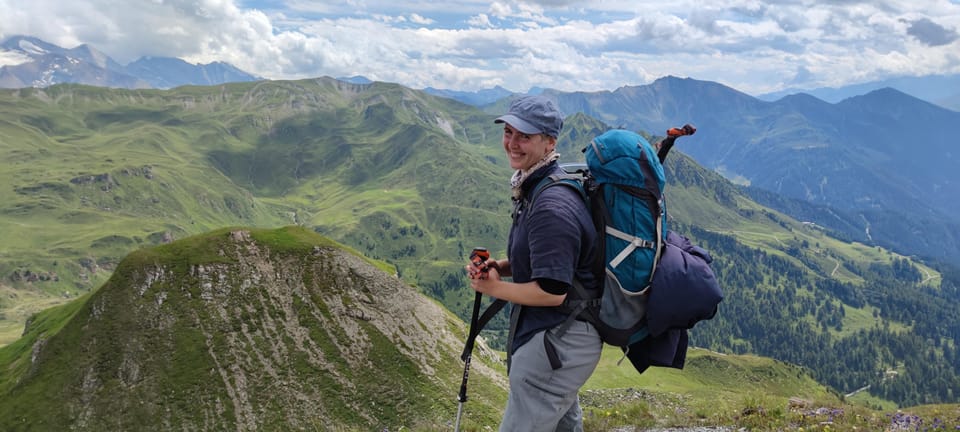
x: 550, y: 244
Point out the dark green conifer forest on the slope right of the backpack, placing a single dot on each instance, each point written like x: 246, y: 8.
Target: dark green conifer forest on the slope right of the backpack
x: 758, y: 315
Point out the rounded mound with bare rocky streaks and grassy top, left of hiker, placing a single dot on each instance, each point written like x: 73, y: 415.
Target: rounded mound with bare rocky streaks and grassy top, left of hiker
x: 241, y: 330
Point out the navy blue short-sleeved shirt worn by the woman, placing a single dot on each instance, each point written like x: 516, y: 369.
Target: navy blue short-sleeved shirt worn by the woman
x: 554, y: 239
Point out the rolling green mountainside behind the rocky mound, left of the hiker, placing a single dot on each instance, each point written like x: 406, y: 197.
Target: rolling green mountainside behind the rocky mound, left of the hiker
x: 97, y: 173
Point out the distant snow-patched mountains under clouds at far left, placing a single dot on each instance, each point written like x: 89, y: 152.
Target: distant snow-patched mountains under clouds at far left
x: 44, y: 64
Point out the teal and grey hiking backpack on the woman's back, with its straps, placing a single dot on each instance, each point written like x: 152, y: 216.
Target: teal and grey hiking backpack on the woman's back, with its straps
x: 622, y: 183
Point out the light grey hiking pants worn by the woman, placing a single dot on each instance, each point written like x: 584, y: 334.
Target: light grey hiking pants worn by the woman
x: 544, y: 399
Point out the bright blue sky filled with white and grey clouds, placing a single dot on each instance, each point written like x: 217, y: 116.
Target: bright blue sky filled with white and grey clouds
x: 751, y: 45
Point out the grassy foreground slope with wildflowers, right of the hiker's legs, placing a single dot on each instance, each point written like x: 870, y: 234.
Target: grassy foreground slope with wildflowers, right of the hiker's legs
x: 739, y: 392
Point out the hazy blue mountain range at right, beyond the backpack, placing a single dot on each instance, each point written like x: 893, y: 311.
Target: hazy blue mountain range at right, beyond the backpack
x: 880, y: 168
